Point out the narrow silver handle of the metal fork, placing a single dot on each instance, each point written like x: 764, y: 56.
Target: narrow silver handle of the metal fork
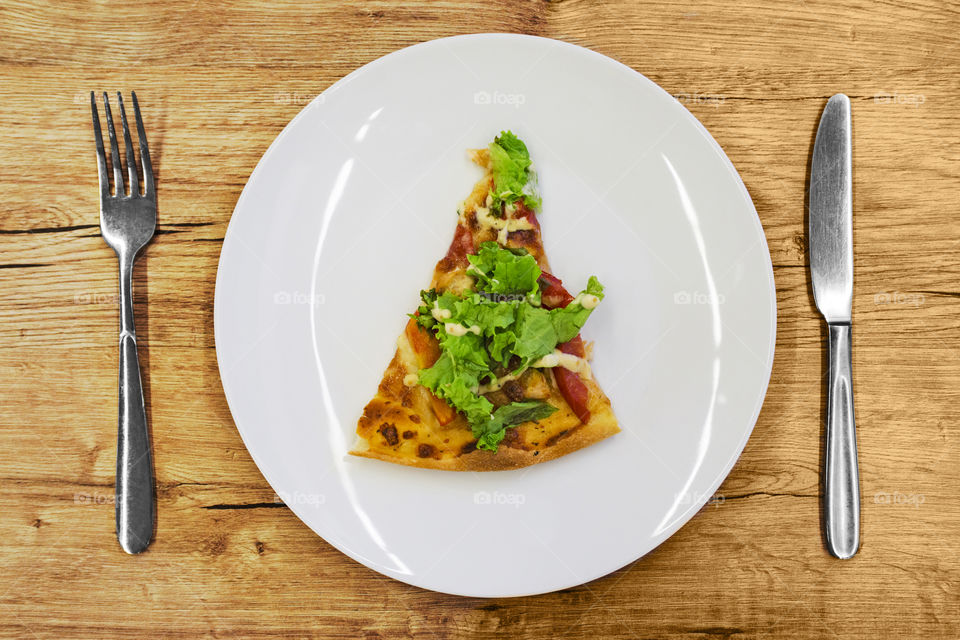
x: 134, y: 492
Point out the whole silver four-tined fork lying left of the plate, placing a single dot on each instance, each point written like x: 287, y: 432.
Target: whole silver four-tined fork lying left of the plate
x: 127, y: 222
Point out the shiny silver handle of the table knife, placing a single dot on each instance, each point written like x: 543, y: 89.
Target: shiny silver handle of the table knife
x: 842, y: 478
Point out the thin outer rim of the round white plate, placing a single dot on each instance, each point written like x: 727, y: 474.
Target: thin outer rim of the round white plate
x: 681, y: 519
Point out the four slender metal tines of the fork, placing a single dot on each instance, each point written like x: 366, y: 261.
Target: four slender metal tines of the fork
x: 120, y: 190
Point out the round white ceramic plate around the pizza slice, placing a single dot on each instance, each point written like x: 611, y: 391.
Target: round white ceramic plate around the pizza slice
x: 338, y: 229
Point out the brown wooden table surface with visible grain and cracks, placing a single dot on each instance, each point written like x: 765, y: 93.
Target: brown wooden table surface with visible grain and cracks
x: 219, y: 82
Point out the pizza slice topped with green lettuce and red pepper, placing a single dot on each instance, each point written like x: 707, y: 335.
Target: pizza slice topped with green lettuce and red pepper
x: 490, y: 372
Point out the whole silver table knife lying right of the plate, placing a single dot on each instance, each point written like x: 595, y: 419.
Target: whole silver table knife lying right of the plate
x: 831, y: 269
